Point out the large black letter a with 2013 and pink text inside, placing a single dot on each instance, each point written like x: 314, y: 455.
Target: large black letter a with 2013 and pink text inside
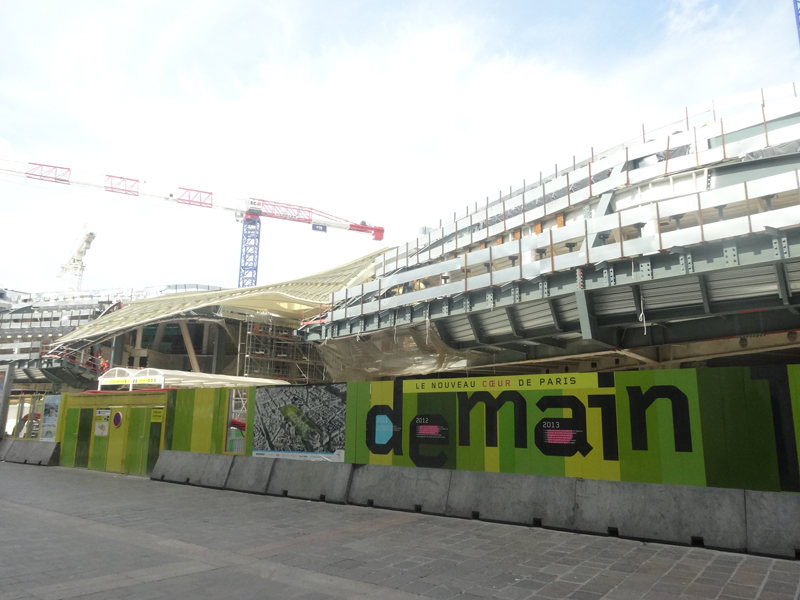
x: 570, y: 437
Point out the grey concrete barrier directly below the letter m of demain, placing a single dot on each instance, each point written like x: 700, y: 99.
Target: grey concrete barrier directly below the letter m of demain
x: 511, y: 498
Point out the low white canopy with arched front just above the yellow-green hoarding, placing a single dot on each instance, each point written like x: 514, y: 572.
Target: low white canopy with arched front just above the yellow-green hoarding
x: 163, y: 378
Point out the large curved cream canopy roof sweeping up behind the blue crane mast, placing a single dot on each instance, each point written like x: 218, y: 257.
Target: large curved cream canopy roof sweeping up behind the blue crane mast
x: 287, y: 299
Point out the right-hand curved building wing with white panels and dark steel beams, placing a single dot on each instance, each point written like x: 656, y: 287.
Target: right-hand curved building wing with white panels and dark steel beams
x: 690, y: 236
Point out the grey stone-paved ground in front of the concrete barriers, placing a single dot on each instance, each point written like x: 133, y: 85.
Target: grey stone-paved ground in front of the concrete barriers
x: 67, y: 533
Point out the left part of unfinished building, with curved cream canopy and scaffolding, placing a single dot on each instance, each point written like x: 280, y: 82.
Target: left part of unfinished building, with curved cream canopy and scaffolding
x: 242, y: 332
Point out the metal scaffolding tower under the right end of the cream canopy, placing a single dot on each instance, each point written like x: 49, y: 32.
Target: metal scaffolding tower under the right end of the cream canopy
x: 273, y: 351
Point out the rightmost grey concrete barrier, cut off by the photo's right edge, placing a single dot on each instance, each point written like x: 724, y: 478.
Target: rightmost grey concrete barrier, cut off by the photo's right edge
x: 773, y: 523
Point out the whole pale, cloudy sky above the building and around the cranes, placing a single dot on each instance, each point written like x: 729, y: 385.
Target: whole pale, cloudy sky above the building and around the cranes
x: 394, y: 113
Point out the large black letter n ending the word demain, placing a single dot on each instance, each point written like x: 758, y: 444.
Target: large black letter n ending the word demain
x: 640, y: 402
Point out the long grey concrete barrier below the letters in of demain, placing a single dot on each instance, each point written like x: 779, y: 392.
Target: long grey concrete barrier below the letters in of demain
x: 713, y: 517
